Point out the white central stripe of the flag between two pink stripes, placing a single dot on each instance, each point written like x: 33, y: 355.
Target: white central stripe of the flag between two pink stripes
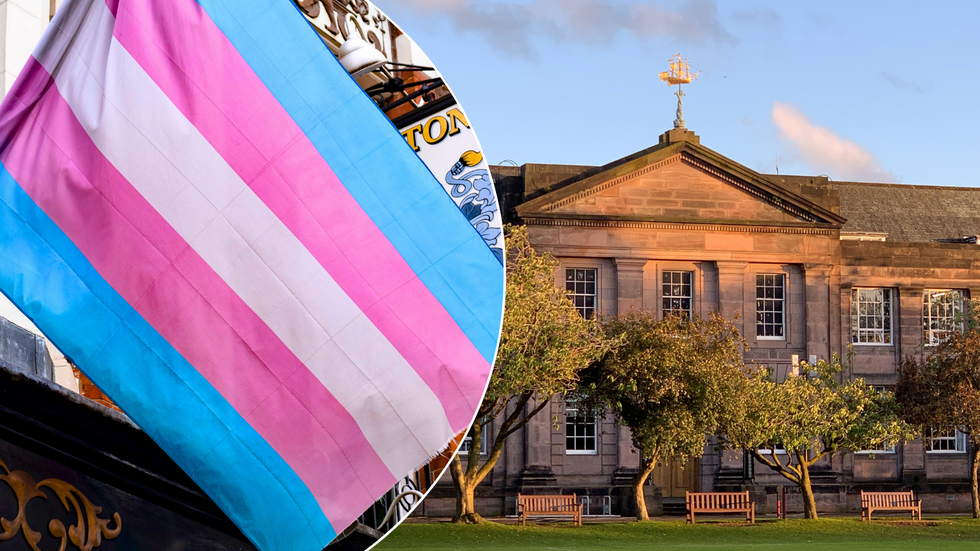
x: 143, y: 134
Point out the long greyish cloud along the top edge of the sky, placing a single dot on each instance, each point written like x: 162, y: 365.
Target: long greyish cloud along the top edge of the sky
x: 512, y: 27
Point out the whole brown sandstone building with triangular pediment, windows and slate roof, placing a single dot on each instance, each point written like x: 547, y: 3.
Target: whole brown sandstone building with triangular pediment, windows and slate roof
x: 808, y: 266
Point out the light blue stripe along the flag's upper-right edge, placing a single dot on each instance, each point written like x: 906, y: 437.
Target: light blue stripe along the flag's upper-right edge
x: 421, y: 221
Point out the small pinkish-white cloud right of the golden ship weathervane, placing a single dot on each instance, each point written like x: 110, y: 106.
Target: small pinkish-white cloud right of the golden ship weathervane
x: 825, y: 151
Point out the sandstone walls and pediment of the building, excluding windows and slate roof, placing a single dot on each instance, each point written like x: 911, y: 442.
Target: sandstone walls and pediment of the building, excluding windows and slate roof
x: 637, y: 218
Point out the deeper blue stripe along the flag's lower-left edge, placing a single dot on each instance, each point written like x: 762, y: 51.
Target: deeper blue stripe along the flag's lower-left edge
x: 59, y: 290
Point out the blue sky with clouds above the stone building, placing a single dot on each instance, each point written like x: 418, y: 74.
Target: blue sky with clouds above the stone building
x: 854, y: 90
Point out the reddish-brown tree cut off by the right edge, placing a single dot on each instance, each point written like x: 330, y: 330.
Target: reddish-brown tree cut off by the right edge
x: 942, y: 390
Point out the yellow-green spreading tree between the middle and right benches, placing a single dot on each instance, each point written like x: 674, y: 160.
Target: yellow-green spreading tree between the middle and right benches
x: 810, y: 416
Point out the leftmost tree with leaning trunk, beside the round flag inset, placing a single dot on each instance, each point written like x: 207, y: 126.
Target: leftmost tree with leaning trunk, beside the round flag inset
x: 544, y: 344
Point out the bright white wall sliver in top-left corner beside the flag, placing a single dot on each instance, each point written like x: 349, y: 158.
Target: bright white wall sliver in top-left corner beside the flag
x: 21, y: 24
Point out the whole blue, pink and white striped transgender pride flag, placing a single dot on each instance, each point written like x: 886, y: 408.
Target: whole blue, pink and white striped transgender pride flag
x: 212, y: 220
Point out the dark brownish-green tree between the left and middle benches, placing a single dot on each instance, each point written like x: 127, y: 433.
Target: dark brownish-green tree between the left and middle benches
x: 671, y: 381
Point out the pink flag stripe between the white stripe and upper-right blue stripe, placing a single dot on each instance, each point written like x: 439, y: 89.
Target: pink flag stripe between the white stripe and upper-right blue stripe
x: 244, y: 122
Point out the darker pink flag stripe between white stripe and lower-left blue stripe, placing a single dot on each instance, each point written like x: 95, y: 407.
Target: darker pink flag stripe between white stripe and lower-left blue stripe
x: 171, y: 286
